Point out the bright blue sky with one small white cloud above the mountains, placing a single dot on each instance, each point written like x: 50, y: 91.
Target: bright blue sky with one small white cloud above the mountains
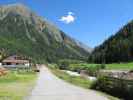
x: 89, y: 21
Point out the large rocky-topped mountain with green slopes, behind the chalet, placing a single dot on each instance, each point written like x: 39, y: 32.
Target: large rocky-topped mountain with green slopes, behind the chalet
x: 23, y: 32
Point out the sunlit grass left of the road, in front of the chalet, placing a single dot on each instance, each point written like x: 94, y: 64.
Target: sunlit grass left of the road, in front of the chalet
x: 15, y: 86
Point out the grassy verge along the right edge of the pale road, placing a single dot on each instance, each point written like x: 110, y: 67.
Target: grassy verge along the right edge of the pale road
x: 79, y: 81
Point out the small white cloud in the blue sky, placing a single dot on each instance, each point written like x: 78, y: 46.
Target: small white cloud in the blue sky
x: 69, y: 18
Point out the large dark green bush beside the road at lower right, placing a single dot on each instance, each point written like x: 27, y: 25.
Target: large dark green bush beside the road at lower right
x: 116, y: 87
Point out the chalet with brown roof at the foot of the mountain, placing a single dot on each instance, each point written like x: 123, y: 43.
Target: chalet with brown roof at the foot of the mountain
x: 13, y: 61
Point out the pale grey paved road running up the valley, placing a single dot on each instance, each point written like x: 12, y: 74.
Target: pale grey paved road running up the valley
x: 49, y: 87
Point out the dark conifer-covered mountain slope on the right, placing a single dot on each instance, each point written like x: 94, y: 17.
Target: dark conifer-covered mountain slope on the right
x: 117, y: 48
